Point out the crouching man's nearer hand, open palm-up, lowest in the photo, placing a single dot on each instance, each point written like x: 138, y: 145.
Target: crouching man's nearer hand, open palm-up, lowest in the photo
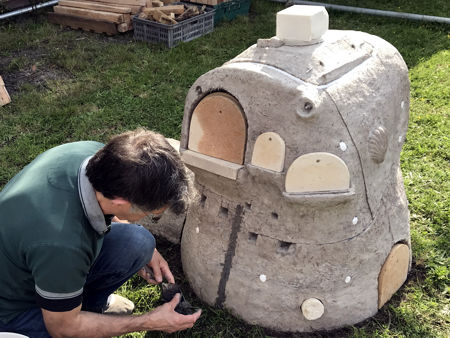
x: 164, y: 318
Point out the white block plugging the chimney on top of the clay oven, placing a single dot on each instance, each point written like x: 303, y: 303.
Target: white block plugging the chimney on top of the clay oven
x: 302, y: 25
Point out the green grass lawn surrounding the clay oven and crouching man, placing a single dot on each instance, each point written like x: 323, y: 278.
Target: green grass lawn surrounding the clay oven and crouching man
x: 70, y: 85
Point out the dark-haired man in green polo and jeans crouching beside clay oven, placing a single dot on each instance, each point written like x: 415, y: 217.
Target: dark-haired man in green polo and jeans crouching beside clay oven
x: 64, y: 249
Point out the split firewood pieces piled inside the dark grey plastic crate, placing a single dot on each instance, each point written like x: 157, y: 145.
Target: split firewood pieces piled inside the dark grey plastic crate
x: 171, y: 14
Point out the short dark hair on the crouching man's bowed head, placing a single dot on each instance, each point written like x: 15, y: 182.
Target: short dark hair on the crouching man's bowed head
x: 141, y: 167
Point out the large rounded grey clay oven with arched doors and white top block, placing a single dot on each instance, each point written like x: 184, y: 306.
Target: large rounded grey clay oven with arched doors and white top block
x: 295, y: 144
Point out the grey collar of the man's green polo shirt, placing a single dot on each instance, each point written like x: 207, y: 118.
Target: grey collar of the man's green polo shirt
x: 89, y: 201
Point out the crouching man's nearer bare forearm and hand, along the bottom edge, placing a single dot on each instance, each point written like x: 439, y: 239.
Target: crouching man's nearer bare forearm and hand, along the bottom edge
x: 77, y: 323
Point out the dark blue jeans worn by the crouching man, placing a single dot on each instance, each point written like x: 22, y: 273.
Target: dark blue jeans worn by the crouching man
x: 126, y: 249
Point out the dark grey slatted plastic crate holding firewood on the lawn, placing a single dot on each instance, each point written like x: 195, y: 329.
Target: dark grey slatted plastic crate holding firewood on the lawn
x: 171, y: 35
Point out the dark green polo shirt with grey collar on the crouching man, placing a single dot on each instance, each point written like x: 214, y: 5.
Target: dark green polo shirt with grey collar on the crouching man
x: 48, y: 241
